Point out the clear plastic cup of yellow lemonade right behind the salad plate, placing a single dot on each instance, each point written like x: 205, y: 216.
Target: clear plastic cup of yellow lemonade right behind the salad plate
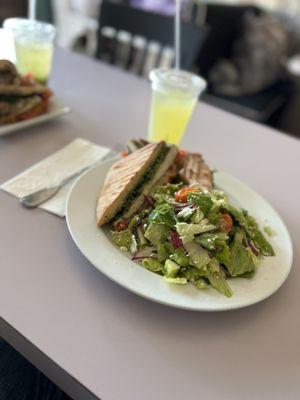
x: 174, y: 96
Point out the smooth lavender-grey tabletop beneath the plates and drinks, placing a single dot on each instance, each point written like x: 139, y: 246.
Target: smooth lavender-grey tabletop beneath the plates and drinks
x: 95, y: 339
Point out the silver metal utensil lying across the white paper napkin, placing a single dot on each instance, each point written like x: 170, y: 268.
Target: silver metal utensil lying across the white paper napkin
x: 39, y: 197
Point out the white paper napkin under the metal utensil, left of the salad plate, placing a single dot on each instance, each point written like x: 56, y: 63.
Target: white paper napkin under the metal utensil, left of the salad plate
x: 78, y: 154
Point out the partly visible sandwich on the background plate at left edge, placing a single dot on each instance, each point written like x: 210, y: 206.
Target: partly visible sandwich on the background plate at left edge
x: 21, y: 97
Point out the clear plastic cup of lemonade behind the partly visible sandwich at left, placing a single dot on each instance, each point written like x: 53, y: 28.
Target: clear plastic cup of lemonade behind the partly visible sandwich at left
x: 34, y: 46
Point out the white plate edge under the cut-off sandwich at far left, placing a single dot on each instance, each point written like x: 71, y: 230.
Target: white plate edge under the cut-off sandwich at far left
x: 56, y: 109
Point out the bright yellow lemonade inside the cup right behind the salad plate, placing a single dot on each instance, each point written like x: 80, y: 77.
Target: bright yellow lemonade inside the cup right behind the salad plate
x: 169, y: 117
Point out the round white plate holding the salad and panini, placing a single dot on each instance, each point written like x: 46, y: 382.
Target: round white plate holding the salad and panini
x: 95, y: 245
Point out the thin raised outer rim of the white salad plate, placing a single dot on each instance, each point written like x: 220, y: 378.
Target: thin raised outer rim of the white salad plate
x: 171, y: 304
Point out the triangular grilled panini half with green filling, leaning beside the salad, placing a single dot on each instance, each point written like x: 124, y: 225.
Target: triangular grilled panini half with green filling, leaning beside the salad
x: 129, y: 179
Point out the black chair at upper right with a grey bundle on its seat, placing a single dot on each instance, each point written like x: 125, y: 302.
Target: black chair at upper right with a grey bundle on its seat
x: 225, y: 23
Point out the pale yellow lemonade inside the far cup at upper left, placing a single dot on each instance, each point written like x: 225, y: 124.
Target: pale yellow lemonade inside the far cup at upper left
x: 35, y: 58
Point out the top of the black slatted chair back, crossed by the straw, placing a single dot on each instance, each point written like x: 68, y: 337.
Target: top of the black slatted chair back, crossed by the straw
x: 154, y: 27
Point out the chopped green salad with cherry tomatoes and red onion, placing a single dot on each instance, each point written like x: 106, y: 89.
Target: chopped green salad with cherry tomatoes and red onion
x: 193, y: 235
